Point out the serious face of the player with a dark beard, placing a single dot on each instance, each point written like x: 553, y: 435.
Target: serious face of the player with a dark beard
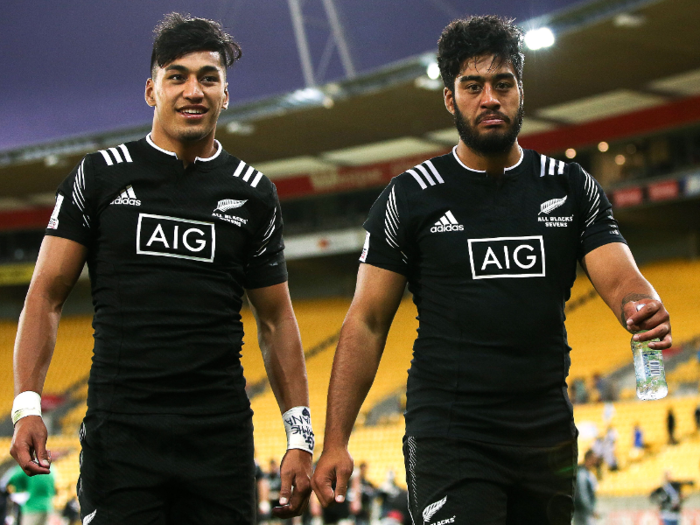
x: 487, y: 105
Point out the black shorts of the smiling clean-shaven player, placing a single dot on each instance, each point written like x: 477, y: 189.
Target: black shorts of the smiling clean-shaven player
x: 166, y: 469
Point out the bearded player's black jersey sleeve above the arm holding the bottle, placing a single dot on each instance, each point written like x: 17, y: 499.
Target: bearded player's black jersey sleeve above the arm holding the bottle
x: 598, y: 226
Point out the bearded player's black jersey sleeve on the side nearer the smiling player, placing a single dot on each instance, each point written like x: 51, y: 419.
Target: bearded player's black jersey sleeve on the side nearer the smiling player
x: 385, y: 245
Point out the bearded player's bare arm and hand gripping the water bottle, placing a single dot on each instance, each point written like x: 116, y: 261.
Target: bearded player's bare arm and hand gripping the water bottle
x: 615, y: 276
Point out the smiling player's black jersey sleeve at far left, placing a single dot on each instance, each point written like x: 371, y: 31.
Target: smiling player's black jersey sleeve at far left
x: 71, y: 217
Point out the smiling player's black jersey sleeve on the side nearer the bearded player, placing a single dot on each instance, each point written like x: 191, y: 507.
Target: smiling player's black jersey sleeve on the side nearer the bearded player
x: 266, y: 266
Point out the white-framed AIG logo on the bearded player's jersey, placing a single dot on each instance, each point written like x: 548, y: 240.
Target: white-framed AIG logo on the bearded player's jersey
x: 507, y: 257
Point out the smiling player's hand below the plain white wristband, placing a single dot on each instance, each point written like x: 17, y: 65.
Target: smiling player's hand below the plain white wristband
x: 29, y: 446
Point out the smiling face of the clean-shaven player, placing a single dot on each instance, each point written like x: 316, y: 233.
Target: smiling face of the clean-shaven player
x: 188, y: 95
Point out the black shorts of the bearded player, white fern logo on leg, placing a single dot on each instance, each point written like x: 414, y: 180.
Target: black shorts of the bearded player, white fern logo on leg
x: 457, y: 481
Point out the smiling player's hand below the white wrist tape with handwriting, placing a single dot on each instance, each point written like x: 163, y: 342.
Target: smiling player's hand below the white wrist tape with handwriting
x: 295, y: 472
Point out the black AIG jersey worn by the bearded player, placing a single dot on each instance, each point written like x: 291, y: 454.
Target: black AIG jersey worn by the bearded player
x: 490, y: 263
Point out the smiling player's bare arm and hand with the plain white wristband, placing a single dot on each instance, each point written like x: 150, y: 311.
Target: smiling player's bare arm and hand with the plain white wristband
x: 57, y: 269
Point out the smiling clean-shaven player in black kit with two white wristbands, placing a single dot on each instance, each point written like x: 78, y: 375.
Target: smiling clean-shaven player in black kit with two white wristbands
x: 175, y: 232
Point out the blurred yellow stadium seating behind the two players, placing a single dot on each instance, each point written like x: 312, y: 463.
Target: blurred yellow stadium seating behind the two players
x: 599, y: 344
